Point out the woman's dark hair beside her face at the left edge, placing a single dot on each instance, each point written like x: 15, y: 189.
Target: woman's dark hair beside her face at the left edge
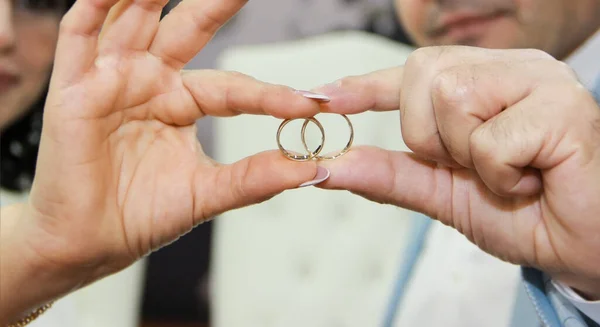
x: 19, y: 142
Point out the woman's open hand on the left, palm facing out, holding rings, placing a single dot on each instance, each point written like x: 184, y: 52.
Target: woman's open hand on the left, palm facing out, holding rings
x: 120, y: 169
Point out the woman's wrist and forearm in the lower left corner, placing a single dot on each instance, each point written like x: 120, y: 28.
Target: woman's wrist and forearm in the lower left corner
x: 28, y: 281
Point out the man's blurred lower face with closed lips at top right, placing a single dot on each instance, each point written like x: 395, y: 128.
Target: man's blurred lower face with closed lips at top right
x: 555, y: 26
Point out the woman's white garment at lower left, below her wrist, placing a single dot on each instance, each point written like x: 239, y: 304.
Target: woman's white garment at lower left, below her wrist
x: 114, y: 301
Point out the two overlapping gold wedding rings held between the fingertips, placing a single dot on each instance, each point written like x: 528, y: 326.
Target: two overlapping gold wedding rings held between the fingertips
x: 313, y: 155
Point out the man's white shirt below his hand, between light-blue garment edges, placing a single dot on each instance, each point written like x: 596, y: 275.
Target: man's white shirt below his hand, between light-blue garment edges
x: 457, y: 284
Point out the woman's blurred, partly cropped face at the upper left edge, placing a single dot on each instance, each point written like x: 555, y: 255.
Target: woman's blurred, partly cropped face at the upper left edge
x: 28, y: 35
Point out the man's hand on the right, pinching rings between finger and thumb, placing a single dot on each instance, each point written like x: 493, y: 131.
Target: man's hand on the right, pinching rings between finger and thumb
x: 506, y: 150
